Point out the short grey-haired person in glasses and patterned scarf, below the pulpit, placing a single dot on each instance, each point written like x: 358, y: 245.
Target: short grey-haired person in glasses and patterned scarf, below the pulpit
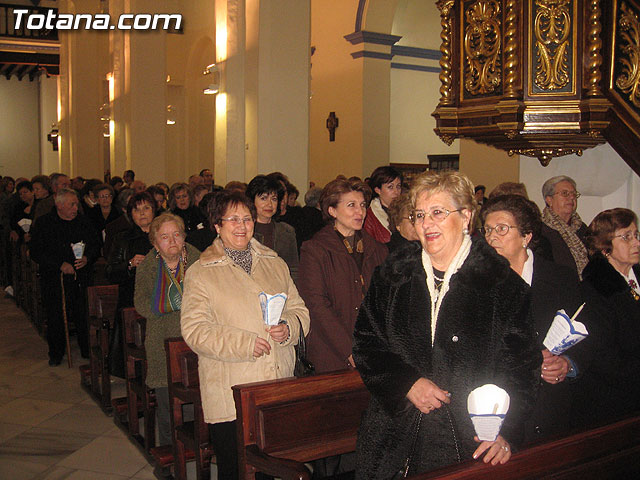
x: 563, y: 227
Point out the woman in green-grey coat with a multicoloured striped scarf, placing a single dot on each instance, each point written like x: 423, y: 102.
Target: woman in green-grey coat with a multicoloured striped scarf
x: 158, y: 298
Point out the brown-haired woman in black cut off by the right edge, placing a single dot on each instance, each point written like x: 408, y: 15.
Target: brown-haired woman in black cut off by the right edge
x: 611, y: 387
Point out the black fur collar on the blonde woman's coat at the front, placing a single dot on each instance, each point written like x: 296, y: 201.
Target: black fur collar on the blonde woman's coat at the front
x: 482, y: 268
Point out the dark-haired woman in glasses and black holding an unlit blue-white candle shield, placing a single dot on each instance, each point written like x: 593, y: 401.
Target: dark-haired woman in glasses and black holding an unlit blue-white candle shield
x: 511, y: 225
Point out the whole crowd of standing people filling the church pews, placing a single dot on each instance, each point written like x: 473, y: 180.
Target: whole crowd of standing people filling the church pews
x: 429, y: 290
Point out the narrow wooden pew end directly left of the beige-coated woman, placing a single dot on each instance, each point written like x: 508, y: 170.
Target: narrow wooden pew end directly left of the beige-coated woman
x: 190, y: 439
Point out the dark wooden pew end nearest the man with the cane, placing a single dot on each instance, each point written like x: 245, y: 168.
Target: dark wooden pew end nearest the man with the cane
x: 95, y: 378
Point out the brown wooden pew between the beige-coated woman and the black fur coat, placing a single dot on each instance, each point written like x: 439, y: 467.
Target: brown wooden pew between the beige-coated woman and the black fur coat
x: 284, y: 423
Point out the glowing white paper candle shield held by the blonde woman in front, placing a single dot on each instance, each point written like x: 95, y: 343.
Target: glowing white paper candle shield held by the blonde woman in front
x: 488, y: 405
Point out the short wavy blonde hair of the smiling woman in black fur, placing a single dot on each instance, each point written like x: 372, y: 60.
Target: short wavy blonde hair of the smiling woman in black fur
x: 457, y: 185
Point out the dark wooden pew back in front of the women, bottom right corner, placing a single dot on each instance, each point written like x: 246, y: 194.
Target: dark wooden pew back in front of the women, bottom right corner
x: 608, y: 452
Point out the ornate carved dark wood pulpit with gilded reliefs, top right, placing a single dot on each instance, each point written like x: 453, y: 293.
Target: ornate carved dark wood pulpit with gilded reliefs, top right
x: 541, y: 78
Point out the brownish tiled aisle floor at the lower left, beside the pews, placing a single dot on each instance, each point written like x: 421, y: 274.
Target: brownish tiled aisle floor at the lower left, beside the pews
x: 49, y: 427
